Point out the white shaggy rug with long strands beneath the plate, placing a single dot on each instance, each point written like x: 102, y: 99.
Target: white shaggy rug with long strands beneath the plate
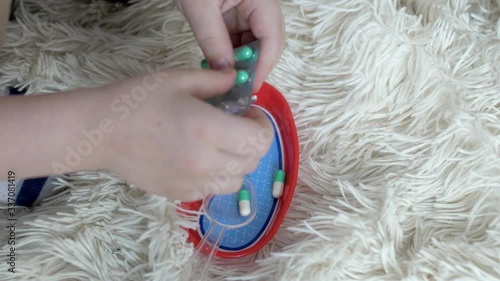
x: 397, y: 104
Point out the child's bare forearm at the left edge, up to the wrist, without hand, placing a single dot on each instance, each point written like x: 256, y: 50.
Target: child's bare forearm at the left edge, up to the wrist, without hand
x: 49, y: 134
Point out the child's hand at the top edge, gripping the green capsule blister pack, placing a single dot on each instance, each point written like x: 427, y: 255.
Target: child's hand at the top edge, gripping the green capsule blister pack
x: 218, y: 23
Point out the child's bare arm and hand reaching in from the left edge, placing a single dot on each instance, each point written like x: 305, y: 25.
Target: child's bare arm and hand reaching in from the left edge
x: 155, y: 131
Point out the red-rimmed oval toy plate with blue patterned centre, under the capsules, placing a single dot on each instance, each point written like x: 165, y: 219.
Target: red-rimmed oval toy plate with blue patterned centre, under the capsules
x: 284, y: 155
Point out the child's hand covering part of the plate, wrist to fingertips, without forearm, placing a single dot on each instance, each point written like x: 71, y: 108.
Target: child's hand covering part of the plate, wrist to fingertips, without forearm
x: 174, y: 144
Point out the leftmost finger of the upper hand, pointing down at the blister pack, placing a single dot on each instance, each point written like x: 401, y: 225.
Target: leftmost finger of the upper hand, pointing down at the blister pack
x: 208, y: 26
